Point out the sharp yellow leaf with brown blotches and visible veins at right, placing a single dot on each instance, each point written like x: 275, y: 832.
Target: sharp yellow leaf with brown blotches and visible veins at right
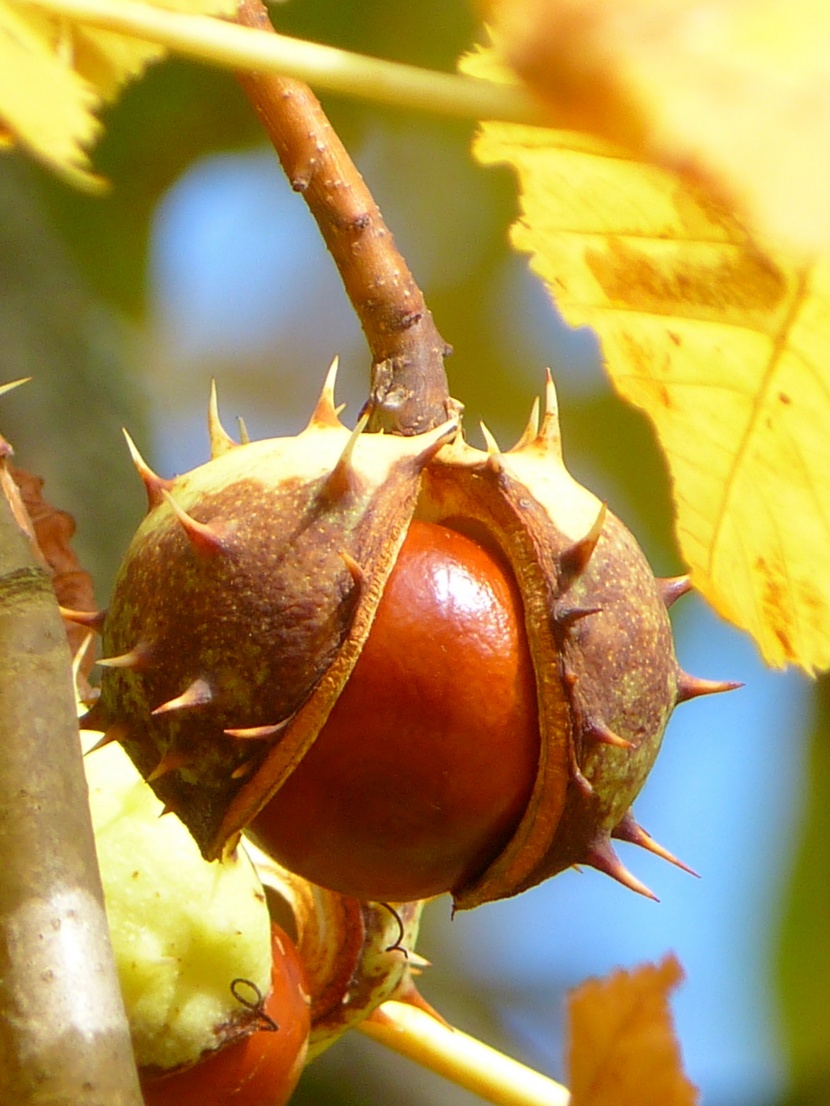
x: 727, y: 349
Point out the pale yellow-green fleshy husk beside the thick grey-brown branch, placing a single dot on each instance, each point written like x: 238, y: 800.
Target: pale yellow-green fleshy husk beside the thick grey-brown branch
x: 183, y: 928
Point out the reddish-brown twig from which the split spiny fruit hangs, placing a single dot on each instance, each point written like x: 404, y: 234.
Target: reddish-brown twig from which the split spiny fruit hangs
x: 409, y: 390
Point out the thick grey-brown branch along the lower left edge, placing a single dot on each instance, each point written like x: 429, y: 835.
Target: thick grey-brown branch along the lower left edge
x: 64, y: 1035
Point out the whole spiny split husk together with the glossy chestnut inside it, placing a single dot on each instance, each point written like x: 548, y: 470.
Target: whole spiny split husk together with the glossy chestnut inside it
x: 250, y: 633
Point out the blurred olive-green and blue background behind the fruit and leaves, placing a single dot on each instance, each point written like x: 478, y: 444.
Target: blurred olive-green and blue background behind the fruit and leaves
x: 202, y: 263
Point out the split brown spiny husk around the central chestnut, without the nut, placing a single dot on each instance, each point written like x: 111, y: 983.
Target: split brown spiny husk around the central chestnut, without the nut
x: 247, y: 594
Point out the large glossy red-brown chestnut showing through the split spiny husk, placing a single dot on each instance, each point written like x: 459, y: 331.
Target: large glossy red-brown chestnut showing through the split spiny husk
x: 427, y: 764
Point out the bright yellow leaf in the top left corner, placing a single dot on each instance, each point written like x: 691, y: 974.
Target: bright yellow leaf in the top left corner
x: 55, y: 74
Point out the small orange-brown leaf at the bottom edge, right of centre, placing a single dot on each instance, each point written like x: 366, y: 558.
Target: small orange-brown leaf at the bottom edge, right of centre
x: 622, y: 1049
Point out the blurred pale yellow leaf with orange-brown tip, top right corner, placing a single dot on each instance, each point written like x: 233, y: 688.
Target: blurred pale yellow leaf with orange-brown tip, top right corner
x: 730, y: 92
